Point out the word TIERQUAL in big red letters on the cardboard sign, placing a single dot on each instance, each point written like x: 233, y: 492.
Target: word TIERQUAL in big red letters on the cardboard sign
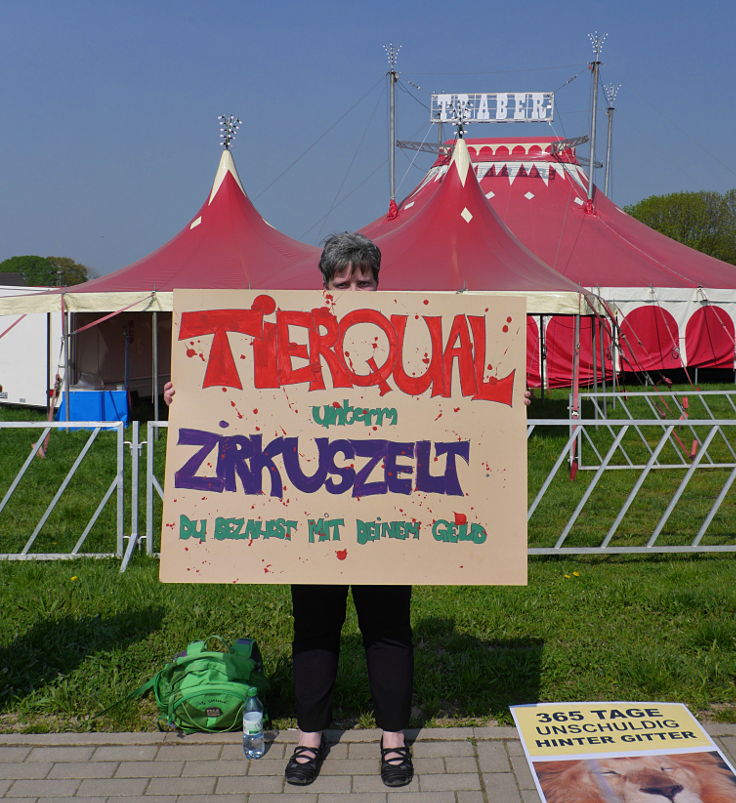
x: 273, y: 351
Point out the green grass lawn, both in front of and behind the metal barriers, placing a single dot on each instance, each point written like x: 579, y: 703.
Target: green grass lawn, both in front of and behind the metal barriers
x: 76, y: 636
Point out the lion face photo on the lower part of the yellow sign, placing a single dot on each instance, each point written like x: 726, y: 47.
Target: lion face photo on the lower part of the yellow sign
x: 686, y: 778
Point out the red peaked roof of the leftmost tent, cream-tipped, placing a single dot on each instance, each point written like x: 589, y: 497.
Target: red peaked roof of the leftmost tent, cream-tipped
x: 226, y: 245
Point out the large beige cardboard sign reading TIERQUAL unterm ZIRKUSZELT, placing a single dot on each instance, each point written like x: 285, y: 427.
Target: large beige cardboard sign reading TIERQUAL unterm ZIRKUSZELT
x: 374, y: 438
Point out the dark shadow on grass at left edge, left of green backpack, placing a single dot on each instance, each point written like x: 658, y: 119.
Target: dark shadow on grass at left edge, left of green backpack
x: 55, y: 647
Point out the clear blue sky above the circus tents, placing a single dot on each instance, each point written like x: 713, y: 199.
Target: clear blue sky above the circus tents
x: 109, y: 136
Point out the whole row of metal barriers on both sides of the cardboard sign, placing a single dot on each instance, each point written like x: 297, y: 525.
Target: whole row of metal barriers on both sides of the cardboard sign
x: 628, y: 496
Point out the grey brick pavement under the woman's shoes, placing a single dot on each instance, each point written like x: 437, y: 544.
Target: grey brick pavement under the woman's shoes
x: 453, y: 765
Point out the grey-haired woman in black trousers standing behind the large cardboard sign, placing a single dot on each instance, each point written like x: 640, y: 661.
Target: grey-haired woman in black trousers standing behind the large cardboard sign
x: 349, y: 262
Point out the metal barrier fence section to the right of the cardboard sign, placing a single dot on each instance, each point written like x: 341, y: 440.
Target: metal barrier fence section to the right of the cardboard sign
x: 631, y: 499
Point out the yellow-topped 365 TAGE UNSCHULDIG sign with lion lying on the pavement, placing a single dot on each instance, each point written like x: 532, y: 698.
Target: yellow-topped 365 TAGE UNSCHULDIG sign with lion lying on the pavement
x: 622, y: 751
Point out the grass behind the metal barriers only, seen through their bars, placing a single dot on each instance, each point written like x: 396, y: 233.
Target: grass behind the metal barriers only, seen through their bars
x: 61, y: 531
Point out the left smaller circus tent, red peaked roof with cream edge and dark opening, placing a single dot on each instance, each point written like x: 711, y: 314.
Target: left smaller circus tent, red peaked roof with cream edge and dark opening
x: 227, y: 244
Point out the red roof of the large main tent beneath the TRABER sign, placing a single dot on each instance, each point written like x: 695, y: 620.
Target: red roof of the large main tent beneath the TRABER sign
x: 542, y: 196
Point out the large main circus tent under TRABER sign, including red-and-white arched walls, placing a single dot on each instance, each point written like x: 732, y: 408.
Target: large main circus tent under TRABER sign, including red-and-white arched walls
x: 676, y: 306
